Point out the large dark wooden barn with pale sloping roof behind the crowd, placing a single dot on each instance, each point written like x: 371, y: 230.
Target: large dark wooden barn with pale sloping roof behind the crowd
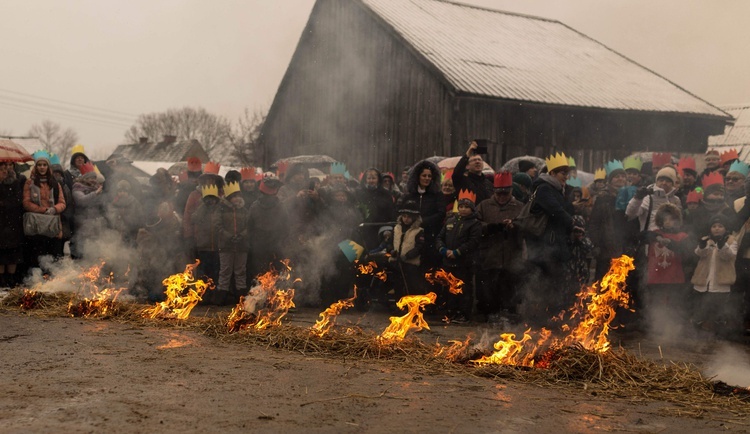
x: 386, y: 83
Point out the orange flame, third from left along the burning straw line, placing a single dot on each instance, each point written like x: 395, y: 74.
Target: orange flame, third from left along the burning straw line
x: 276, y: 302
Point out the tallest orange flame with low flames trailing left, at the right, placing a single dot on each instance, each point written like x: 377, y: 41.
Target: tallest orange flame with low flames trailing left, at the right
x: 594, y: 311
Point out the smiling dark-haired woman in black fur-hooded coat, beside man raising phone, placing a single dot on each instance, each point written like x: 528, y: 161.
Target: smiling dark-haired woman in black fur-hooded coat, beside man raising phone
x: 423, y: 188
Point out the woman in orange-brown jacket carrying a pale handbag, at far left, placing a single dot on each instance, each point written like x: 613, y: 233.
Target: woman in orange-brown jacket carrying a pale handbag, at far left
x: 42, y: 194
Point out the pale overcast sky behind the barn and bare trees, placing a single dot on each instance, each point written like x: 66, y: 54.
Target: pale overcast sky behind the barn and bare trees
x: 95, y: 65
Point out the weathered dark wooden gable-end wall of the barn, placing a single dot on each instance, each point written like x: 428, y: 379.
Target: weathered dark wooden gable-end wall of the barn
x: 355, y: 92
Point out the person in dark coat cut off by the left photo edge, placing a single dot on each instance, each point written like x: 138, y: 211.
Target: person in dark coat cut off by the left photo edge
x: 11, y: 223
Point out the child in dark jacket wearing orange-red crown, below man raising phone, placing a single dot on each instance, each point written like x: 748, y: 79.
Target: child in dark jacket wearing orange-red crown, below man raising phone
x: 458, y: 244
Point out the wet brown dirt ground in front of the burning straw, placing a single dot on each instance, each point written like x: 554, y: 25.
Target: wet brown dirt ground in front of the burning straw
x: 74, y: 375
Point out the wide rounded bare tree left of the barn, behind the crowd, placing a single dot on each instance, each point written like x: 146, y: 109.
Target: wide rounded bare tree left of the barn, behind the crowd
x: 187, y: 123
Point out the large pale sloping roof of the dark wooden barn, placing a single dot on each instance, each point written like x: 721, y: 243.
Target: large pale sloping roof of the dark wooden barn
x: 510, y: 56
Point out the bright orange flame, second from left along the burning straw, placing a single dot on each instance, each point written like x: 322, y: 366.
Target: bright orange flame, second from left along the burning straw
x: 183, y: 293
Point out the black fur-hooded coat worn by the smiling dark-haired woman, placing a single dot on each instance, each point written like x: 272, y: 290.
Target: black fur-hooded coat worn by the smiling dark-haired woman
x: 431, y: 201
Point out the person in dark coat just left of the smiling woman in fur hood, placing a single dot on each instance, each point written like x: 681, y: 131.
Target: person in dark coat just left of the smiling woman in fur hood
x: 376, y: 205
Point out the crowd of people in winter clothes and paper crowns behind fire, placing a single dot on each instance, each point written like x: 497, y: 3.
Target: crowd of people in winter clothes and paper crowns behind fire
x: 684, y: 229
